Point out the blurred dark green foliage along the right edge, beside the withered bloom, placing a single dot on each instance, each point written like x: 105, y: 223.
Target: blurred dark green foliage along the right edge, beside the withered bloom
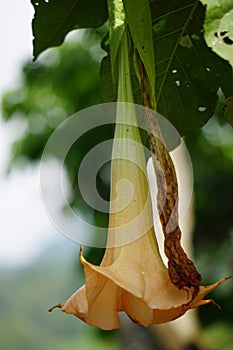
x: 211, y: 151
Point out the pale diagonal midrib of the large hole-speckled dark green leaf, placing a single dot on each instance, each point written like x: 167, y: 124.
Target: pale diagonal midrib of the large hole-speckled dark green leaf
x: 177, y: 43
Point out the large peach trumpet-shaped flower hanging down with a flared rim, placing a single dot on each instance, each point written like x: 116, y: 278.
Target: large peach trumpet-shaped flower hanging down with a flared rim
x: 132, y: 276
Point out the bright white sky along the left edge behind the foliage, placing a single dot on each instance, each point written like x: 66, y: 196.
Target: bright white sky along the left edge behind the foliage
x: 24, y: 225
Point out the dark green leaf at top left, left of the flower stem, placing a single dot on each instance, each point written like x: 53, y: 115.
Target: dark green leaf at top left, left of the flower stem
x: 55, y: 18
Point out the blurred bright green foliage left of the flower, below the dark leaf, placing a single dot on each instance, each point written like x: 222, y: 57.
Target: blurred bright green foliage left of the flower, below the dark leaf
x: 62, y: 83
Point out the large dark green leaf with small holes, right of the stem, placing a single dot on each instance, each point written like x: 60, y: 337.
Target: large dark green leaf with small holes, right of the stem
x: 188, y: 72
